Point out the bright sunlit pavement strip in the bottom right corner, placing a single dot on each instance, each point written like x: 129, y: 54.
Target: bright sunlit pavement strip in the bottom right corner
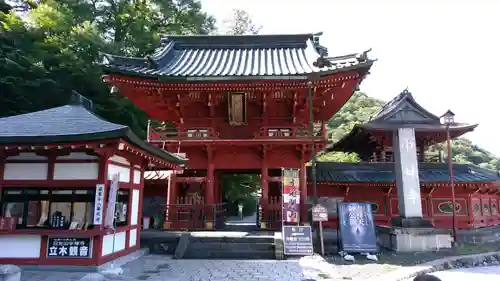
x: 491, y: 273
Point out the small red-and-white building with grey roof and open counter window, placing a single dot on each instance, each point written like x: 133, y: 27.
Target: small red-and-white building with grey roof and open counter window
x: 55, y: 171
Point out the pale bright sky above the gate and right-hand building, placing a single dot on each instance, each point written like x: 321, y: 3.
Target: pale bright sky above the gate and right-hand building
x: 444, y: 51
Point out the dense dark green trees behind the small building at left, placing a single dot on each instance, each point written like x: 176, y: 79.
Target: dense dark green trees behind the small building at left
x: 49, y: 48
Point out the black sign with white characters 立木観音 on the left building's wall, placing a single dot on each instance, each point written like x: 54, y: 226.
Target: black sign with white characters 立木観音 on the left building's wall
x: 60, y: 247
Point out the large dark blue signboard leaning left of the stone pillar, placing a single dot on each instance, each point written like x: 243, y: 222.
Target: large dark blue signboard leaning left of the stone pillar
x: 356, y: 228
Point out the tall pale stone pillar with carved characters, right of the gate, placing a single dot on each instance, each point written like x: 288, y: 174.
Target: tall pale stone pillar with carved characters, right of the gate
x: 407, y: 180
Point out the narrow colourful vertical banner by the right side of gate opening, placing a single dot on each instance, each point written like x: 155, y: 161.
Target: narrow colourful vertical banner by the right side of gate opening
x: 291, y: 195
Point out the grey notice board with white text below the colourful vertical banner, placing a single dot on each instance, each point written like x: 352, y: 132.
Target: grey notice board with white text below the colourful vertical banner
x: 297, y: 240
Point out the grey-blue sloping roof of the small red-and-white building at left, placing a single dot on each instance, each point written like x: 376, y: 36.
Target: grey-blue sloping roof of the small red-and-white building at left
x: 70, y: 123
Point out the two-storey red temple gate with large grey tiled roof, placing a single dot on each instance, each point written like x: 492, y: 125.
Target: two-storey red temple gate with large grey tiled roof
x: 236, y: 104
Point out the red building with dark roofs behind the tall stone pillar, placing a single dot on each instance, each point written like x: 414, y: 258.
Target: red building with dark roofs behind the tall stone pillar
x: 374, y: 179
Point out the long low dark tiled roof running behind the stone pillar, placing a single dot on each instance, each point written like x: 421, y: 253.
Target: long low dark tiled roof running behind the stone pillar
x: 385, y: 173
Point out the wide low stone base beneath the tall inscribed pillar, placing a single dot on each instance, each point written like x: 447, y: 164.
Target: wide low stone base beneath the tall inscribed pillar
x: 414, y: 239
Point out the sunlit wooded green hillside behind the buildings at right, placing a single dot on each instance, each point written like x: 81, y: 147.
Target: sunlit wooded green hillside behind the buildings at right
x: 358, y: 110
